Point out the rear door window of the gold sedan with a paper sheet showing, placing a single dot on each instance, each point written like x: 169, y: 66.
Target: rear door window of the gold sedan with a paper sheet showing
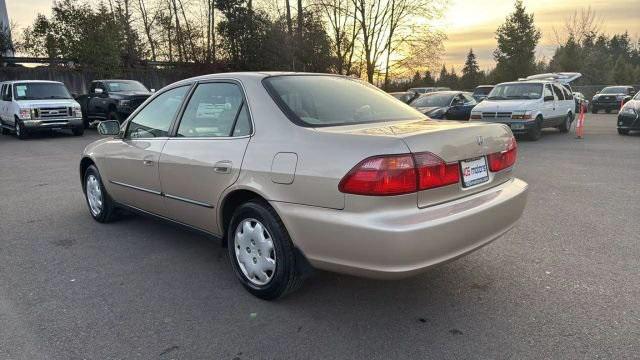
x: 212, y: 111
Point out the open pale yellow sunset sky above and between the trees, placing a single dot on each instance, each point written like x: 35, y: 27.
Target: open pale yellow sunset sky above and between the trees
x: 467, y: 23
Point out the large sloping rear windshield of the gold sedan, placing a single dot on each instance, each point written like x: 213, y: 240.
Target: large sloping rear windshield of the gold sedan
x: 317, y: 100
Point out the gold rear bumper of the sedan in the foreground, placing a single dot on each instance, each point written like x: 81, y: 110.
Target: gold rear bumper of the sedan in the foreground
x: 399, y: 243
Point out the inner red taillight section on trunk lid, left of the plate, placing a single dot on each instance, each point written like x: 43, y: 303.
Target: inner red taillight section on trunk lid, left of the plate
x: 434, y: 172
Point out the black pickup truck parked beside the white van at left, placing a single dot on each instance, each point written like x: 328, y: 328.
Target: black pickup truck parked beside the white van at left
x: 112, y: 100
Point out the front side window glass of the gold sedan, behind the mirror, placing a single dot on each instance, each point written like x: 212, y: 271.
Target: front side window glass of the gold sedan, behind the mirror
x: 155, y: 119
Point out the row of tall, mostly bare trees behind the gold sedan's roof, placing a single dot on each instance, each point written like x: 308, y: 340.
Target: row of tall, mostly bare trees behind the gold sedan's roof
x: 374, y: 39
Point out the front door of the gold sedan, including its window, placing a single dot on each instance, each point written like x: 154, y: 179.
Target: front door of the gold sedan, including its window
x: 132, y: 165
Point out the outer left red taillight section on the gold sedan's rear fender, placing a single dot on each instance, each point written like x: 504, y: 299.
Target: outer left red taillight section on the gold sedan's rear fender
x: 381, y: 176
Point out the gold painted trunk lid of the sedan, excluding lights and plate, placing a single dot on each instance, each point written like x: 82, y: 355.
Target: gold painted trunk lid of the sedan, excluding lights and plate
x: 452, y: 141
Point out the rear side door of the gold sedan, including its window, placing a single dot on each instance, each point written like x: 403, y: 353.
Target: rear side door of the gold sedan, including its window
x: 205, y: 155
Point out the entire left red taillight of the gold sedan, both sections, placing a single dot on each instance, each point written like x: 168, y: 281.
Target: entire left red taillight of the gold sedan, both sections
x: 399, y: 174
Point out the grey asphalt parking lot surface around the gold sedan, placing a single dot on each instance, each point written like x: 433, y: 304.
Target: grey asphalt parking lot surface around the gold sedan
x: 565, y: 283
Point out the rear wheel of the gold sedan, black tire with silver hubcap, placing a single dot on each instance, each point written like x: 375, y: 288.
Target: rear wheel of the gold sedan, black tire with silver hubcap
x: 261, y: 252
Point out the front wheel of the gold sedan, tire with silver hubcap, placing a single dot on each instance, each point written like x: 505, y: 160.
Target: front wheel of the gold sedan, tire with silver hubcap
x: 103, y: 209
